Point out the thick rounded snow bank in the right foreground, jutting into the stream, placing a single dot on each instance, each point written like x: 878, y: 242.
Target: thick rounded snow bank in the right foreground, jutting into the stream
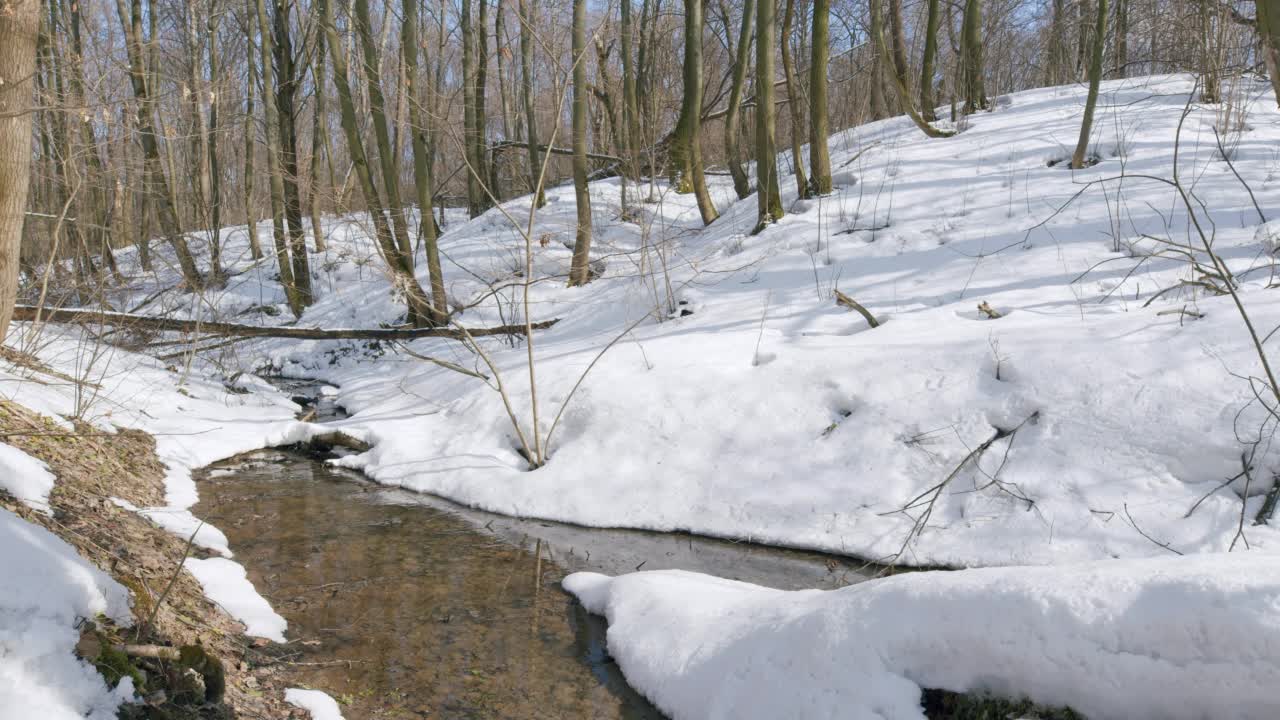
x: 1162, y: 639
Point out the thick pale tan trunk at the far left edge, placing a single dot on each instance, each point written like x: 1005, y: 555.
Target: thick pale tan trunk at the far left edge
x: 20, y: 24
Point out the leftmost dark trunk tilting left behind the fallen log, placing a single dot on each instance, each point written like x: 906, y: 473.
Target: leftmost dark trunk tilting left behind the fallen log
x: 158, y: 185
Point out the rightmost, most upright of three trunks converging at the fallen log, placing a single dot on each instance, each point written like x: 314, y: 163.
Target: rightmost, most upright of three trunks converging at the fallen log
x: 422, y: 165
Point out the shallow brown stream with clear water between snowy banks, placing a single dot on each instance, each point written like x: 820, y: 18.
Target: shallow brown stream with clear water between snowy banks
x: 405, y: 605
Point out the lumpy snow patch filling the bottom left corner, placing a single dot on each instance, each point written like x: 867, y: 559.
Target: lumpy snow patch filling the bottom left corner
x: 47, y: 590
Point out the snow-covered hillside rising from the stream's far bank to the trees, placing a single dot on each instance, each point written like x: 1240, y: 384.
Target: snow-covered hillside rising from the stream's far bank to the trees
x: 762, y: 411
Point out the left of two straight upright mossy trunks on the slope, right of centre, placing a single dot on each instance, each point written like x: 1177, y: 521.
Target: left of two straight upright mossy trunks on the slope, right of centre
x: 770, y: 200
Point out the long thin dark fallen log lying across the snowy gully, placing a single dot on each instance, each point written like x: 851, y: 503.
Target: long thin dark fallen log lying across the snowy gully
x: 30, y: 313
